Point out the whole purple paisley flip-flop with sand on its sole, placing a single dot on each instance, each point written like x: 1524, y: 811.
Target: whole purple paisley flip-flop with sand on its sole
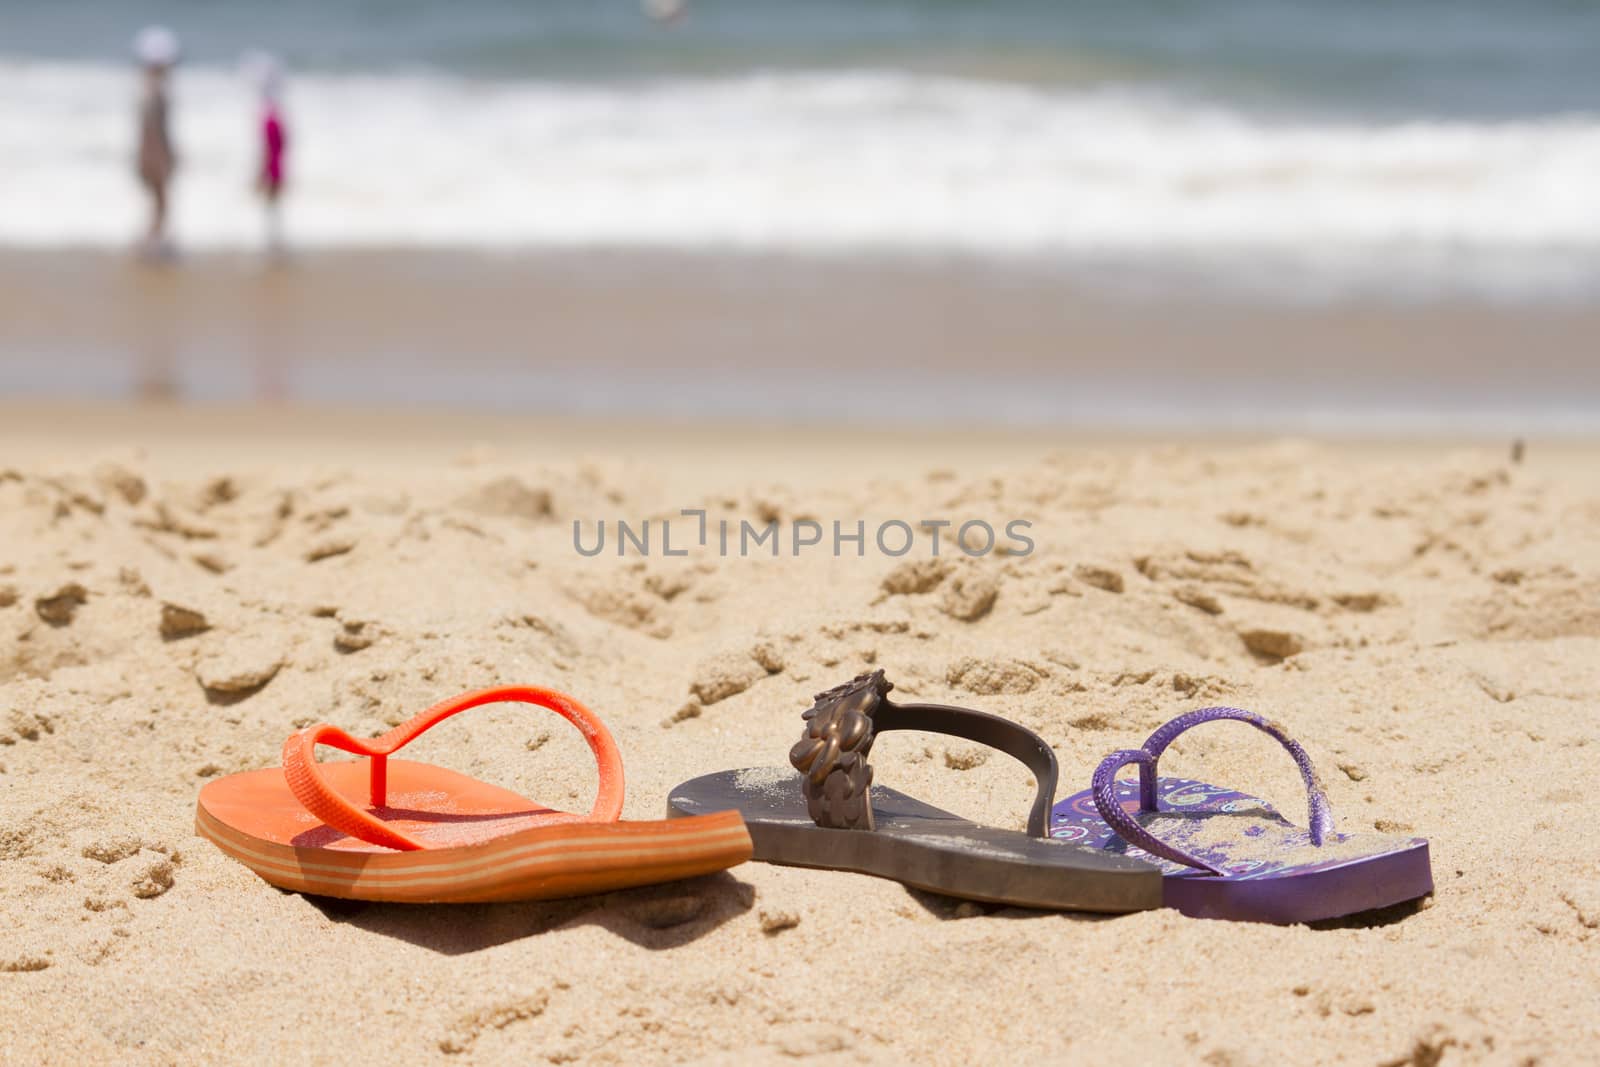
x: 1230, y: 855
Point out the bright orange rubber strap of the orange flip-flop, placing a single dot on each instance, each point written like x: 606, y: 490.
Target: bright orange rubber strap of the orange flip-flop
x: 313, y: 791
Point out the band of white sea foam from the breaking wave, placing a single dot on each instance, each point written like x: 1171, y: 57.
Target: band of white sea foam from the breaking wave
x: 809, y: 162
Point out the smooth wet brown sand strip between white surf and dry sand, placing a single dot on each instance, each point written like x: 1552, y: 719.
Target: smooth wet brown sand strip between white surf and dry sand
x: 898, y: 342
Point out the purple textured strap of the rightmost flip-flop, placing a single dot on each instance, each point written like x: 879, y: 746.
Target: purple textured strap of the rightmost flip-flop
x: 1146, y: 757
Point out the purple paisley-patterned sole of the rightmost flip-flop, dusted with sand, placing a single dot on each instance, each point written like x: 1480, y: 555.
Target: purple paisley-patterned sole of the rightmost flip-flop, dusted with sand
x: 1276, y: 884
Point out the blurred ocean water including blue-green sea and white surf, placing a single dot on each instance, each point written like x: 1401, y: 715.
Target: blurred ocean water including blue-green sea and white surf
x: 1404, y: 146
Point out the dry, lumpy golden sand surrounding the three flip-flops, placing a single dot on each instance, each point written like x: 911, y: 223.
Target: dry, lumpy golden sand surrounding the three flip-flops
x: 1426, y: 623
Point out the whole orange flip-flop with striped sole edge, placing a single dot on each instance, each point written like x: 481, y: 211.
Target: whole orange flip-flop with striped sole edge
x: 402, y: 831
